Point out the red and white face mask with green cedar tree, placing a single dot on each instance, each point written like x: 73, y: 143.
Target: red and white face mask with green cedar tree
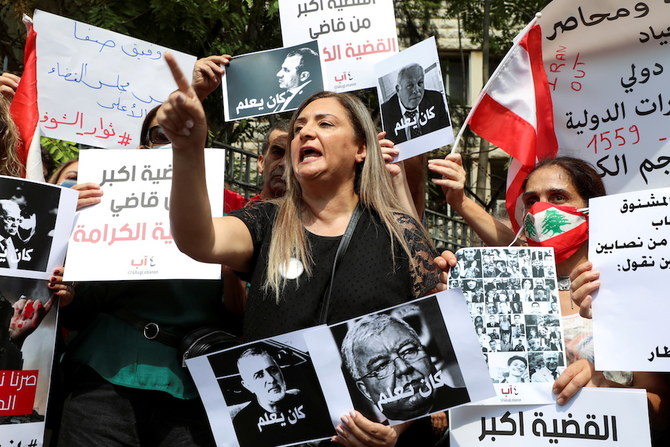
x: 565, y: 228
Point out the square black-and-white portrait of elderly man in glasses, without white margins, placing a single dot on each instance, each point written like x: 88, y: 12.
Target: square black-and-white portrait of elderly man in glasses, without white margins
x: 400, y: 365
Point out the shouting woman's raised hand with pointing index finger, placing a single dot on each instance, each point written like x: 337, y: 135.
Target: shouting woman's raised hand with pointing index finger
x: 181, y: 116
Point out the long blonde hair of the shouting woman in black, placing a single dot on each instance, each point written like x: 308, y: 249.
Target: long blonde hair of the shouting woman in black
x: 372, y: 184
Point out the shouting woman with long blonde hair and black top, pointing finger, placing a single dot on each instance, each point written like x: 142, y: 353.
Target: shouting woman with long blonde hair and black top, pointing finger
x: 288, y: 246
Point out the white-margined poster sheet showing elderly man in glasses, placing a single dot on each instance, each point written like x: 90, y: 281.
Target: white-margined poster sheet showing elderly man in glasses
x: 404, y: 362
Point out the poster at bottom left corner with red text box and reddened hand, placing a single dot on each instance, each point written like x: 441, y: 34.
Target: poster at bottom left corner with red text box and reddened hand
x: 27, y: 339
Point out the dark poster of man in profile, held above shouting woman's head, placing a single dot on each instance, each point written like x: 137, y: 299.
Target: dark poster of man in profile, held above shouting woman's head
x: 271, y: 81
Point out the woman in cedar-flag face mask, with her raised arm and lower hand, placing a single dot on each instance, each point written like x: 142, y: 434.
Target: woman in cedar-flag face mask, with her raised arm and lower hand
x: 562, y: 188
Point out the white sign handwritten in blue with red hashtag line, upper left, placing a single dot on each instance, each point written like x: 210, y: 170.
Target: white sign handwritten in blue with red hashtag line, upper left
x: 96, y: 86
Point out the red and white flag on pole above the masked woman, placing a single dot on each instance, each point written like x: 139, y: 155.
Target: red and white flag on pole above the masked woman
x: 515, y: 112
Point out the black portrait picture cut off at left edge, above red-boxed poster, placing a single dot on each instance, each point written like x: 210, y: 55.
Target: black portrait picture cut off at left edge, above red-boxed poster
x: 28, y: 214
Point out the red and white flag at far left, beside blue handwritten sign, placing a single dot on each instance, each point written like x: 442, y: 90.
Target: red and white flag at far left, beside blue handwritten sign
x: 24, y: 110
